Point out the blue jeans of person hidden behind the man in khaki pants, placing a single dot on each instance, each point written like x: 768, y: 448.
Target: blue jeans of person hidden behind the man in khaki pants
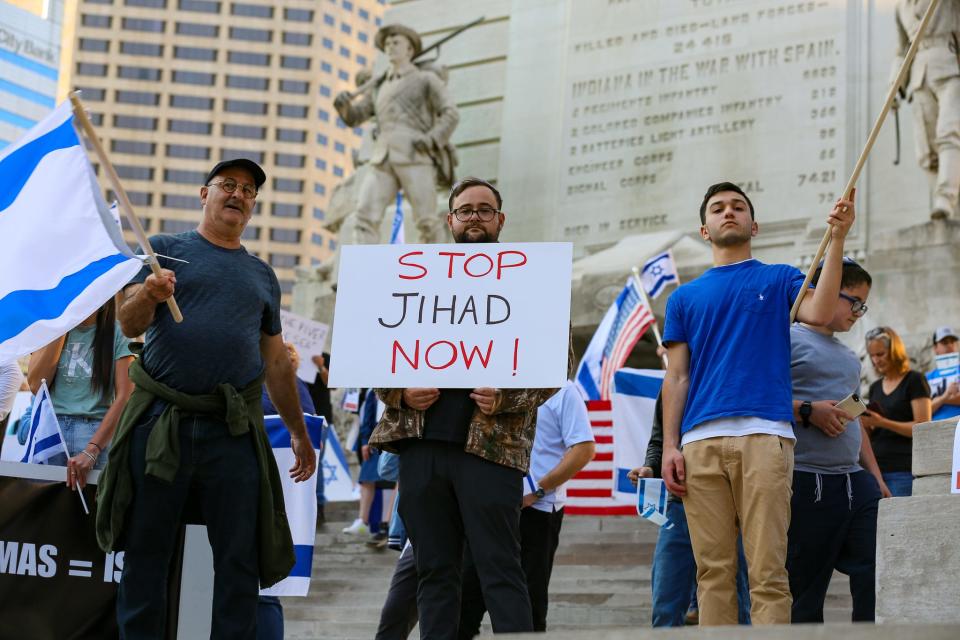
x: 674, y: 572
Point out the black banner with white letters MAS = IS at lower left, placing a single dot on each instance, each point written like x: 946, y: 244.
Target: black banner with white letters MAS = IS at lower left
x: 55, y: 582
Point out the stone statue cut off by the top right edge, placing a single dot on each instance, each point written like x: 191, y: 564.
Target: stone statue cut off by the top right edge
x: 933, y: 88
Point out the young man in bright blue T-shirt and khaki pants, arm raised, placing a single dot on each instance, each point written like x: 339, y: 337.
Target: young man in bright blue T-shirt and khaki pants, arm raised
x: 727, y: 403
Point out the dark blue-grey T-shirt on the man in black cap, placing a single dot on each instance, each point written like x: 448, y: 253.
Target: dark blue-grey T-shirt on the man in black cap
x: 228, y: 298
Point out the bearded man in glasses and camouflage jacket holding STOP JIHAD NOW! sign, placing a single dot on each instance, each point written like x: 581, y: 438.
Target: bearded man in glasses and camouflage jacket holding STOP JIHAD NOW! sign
x: 464, y: 456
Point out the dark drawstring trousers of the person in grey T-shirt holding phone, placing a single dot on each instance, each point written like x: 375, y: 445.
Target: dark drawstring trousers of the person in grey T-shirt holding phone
x: 833, y: 525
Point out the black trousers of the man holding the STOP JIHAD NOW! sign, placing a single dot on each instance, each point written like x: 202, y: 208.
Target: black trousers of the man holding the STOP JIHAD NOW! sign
x: 449, y: 497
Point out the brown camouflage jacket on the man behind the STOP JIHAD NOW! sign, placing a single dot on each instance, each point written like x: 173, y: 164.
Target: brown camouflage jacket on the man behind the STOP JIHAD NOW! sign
x: 504, y: 437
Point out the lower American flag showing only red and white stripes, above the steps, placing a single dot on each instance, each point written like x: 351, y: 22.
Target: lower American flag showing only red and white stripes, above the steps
x: 589, y: 493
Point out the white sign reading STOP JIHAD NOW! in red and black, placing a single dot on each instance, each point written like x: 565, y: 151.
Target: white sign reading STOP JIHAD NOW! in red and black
x: 452, y: 316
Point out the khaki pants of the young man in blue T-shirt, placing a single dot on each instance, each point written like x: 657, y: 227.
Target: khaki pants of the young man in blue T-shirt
x: 745, y: 480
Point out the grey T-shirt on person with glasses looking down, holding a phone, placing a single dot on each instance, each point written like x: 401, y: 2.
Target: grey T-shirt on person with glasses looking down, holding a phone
x: 821, y: 368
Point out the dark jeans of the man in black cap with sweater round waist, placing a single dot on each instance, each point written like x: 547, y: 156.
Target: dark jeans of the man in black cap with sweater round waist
x: 219, y: 474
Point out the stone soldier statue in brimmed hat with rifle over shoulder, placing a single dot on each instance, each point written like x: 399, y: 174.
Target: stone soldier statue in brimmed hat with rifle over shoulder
x: 411, y: 149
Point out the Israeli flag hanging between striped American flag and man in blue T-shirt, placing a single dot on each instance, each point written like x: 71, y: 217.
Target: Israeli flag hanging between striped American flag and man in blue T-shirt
x: 633, y: 401
